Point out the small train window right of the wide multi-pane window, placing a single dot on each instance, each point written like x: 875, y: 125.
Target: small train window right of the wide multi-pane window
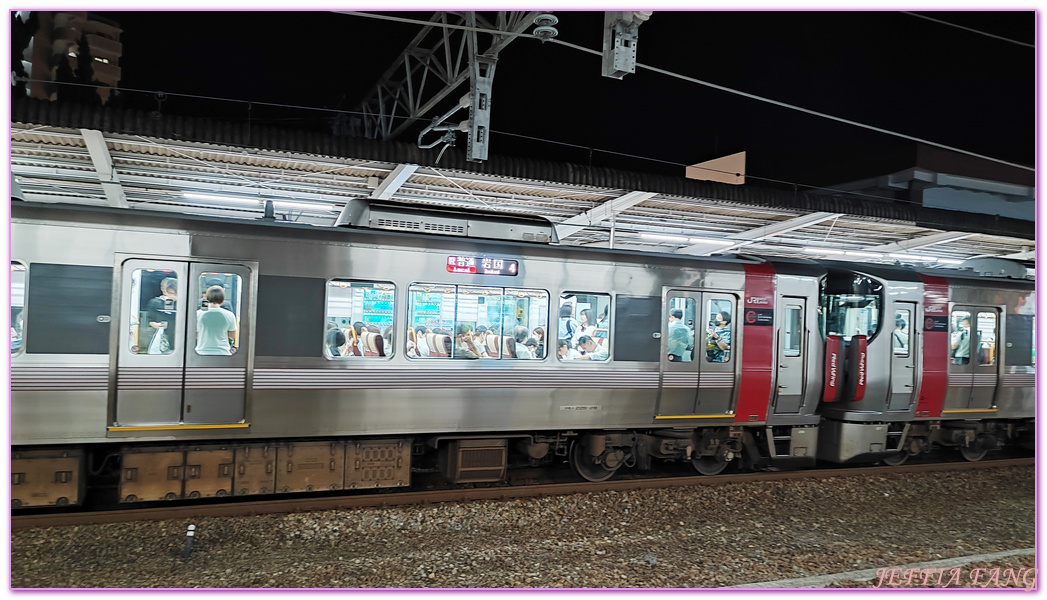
x: 585, y: 325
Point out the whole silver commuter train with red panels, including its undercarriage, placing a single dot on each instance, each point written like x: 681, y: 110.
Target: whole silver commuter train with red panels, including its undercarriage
x: 463, y: 344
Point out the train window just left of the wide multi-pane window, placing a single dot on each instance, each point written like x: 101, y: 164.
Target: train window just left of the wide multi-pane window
x: 360, y: 319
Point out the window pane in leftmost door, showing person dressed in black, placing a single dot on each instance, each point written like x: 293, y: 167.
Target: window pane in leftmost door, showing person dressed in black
x: 154, y: 306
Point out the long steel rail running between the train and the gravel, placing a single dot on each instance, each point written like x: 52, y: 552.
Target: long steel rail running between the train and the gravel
x: 281, y: 506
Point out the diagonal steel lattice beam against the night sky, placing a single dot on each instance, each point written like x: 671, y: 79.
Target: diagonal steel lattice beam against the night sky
x: 439, y: 56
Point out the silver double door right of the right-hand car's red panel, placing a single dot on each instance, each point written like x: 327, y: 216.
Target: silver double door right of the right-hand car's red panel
x: 973, y: 369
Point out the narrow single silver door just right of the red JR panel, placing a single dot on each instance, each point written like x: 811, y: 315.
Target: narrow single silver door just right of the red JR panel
x: 792, y: 357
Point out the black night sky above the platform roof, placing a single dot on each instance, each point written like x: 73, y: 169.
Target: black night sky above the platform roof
x: 885, y: 69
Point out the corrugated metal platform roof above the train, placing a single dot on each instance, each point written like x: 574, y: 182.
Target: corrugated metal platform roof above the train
x: 160, y: 160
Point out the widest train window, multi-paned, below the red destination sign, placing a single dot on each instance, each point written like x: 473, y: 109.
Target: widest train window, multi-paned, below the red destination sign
x: 467, y: 322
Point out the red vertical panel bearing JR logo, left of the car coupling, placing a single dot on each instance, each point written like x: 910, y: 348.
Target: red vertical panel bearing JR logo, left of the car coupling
x: 759, y: 344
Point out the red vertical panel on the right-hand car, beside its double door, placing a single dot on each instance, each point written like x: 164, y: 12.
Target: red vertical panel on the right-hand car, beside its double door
x: 935, y: 351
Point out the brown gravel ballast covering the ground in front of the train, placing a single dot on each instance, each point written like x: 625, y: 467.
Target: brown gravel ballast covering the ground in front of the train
x: 701, y: 537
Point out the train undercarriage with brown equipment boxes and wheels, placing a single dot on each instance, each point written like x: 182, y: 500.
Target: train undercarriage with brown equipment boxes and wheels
x: 64, y: 476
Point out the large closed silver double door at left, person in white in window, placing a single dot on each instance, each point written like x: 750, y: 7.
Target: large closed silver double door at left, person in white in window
x: 164, y: 376
